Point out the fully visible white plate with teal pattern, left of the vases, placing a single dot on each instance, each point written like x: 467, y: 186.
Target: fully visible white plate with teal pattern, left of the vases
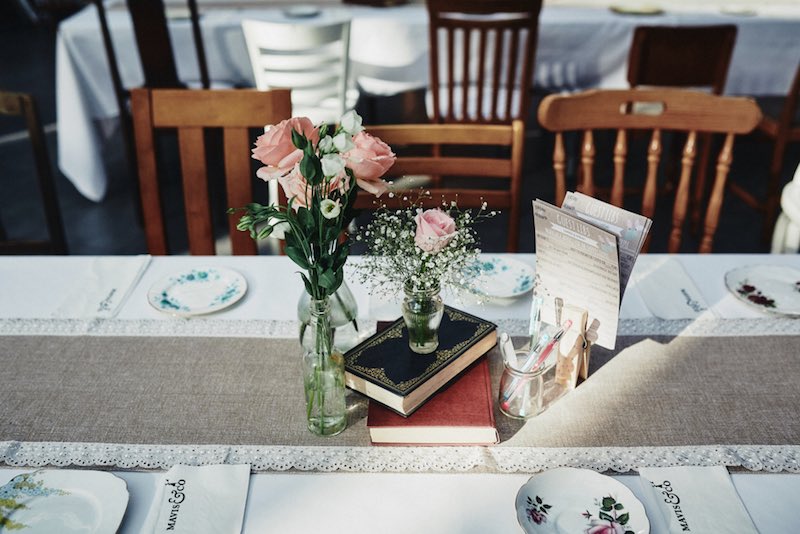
x: 197, y: 291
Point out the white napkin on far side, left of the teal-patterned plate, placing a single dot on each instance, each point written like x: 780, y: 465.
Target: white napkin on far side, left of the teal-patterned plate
x: 101, y: 290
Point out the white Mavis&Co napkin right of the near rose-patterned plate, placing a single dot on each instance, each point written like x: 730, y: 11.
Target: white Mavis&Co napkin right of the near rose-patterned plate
x: 701, y: 500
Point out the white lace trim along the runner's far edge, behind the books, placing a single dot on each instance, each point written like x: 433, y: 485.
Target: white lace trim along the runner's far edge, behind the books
x: 767, y: 326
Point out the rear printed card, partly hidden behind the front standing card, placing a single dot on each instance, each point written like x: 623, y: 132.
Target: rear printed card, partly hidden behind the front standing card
x: 630, y: 228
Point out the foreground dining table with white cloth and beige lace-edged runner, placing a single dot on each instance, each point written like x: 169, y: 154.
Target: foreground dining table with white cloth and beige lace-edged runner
x: 97, y: 376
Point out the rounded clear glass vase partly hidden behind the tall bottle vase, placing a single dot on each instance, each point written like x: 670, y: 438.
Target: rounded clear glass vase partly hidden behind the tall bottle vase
x: 343, y: 318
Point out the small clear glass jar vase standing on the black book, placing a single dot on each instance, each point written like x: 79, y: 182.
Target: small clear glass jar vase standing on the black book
x: 422, y: 313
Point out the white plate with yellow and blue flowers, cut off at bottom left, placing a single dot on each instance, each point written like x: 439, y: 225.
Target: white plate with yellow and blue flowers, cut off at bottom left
x: 63, y: 501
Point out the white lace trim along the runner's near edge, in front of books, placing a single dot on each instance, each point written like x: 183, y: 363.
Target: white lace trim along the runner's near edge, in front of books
x: 773, y: 458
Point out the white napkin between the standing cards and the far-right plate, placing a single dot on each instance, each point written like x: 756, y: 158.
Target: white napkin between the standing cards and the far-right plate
x: 669, y: 292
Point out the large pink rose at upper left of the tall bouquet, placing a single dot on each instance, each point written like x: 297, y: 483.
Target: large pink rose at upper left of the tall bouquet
x: 276, y: 150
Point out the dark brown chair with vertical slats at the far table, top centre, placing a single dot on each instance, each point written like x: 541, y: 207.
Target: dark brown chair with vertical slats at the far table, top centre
x: 472, y: 43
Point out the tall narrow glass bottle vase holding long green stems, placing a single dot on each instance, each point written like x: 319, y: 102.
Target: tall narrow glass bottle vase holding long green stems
x: 323, y: 374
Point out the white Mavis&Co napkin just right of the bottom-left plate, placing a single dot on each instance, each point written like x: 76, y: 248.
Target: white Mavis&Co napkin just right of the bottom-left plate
x: 207, y: 499
